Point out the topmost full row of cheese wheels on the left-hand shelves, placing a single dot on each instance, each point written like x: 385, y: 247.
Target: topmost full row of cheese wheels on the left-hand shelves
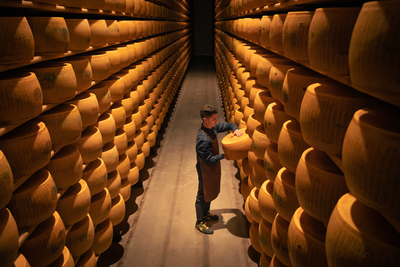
x: 26, y: 37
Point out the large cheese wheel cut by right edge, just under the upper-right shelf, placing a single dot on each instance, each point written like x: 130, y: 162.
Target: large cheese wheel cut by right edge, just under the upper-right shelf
x: 370, y: 158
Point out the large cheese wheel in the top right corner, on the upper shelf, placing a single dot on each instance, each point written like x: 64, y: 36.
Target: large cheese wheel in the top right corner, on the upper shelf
x: 376, y: 73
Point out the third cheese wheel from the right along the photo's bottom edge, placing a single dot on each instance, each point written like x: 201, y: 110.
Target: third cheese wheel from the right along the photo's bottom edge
x: 279, y: 234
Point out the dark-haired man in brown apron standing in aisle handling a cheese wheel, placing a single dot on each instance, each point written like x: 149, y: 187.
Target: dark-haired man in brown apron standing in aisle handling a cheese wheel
x: 208, y: 165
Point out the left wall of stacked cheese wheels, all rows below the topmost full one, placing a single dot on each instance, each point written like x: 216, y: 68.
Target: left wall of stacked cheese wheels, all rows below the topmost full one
x: 67, y: 173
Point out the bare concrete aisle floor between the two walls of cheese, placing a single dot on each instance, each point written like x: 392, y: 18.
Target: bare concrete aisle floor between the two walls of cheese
x: 158, y: 229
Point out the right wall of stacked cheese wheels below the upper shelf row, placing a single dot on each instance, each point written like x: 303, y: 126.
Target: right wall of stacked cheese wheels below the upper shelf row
x: 296, y: 196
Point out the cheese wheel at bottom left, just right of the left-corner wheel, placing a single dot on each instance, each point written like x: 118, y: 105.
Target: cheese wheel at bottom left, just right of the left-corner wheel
x: 46, y: 243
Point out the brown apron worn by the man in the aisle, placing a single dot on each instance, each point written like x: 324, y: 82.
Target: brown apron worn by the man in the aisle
x: 211, y: 174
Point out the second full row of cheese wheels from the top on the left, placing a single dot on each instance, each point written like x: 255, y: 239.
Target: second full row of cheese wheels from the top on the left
x: 50, y: 83
